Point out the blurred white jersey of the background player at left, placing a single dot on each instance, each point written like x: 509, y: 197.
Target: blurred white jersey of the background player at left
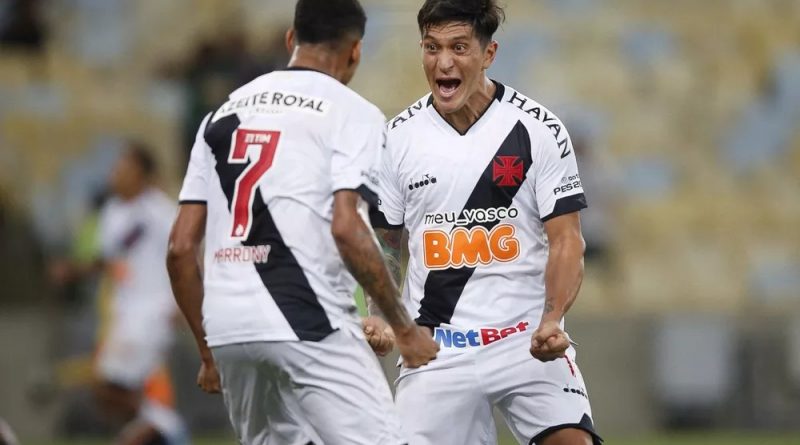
x: 134, y: 234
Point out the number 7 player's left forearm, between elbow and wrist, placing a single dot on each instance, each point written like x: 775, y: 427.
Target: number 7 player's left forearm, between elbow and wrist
x: 187, y: 286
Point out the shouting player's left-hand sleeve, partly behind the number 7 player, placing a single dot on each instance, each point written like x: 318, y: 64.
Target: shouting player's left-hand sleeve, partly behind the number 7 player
x: 391, y: 208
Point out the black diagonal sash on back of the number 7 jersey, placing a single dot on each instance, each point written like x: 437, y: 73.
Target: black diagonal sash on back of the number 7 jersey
x: 281, y: 274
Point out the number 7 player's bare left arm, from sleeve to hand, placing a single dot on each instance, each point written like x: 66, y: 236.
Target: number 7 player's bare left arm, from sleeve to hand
x: 183, y: 265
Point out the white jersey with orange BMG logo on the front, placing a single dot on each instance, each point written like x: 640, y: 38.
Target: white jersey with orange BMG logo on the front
x: 474, y: 206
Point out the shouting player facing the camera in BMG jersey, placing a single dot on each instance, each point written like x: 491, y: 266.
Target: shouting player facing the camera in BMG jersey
x: 485, y: 180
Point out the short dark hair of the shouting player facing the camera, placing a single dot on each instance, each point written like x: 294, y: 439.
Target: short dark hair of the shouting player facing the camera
x: 485, y: 16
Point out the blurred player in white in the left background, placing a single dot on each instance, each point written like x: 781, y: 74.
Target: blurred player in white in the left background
x: 133, y: 230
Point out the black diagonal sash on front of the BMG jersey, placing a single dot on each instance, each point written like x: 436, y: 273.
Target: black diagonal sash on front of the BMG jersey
x: 443, y: 288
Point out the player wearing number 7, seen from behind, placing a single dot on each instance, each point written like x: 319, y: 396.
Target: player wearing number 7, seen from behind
x: 278, y: 184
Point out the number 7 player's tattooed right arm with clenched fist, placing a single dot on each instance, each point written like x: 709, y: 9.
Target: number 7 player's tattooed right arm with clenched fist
x: 364, y: 260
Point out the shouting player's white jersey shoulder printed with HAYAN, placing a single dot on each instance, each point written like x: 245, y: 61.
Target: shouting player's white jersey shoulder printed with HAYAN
x: 537, y: 119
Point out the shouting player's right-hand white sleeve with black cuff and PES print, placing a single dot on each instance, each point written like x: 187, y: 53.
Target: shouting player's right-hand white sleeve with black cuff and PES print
x: 558, y: 183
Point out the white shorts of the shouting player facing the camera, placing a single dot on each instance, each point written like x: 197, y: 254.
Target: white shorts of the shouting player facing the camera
x: 450, y: 400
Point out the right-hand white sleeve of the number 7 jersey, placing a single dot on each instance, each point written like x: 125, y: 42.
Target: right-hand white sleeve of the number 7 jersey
x: 356, y: 155
